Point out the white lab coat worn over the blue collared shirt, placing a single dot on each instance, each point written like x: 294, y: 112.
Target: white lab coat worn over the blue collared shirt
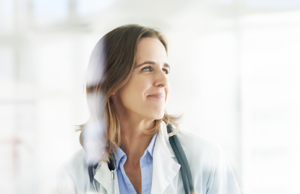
x: 210, y: 169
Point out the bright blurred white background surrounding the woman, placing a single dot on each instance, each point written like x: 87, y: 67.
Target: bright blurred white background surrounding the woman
x: 235, y: 77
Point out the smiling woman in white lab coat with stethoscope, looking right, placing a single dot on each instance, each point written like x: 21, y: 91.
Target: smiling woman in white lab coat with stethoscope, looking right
x: 126, y: 143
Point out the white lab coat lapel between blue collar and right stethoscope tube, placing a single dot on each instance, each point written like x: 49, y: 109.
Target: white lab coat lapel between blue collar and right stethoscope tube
x: 165, y: 168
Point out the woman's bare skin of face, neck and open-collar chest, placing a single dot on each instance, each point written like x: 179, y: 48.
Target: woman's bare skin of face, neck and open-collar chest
x: 140, y: 102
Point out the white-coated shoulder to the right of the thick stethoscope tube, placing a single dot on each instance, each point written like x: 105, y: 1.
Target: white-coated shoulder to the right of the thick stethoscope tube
x: 208, y: 163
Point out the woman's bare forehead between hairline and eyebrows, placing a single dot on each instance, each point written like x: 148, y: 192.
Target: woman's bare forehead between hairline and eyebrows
x: 150, y: 49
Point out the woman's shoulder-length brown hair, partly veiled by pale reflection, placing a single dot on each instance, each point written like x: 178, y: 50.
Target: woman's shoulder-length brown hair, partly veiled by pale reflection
x: 110, y: 67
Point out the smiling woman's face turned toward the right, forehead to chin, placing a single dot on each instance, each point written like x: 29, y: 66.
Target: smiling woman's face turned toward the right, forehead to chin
x: 145, y: 94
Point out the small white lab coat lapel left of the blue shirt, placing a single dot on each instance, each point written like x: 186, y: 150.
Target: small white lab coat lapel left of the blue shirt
x: 103, y: 176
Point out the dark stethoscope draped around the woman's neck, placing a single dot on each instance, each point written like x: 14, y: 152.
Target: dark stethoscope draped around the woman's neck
x: 179, y: 153
